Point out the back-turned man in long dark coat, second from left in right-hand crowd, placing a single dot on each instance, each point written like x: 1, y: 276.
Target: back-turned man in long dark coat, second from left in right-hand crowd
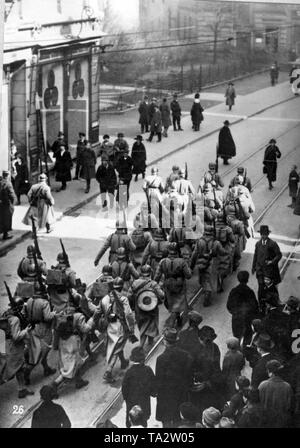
x: 173, y: 377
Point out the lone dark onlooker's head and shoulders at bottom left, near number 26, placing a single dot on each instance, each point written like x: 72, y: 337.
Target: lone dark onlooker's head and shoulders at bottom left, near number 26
x: 49, y: 414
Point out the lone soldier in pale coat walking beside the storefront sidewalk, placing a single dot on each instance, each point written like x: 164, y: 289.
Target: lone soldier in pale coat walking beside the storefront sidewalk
x: 41, y: 205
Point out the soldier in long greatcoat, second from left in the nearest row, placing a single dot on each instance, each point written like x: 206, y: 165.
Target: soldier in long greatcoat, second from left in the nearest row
x: 40, y: 316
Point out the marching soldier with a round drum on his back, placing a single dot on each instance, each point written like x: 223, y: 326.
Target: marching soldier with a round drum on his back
x: 144, y: 296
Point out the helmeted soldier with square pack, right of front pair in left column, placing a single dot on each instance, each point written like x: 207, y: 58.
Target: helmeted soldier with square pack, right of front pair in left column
x: 60, y: 280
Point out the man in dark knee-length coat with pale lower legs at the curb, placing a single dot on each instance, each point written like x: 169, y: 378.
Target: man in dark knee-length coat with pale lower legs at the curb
x: 107, y: 179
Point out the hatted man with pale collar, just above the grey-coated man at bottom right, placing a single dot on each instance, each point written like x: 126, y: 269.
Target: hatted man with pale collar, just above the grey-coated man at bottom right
x: 265, y: 347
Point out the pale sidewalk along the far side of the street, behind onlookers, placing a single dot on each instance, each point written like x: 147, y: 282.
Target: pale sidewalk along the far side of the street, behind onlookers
x: 73, y: 198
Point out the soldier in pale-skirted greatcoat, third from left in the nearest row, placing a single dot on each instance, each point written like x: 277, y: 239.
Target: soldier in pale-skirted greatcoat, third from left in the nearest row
x: 70, y: 328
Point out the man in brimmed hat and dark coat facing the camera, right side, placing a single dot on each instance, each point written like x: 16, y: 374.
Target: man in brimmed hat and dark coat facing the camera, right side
x: 267, y: 255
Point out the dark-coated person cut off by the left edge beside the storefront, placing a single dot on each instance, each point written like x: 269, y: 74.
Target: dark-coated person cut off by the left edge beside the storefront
x: 7, y: 200
